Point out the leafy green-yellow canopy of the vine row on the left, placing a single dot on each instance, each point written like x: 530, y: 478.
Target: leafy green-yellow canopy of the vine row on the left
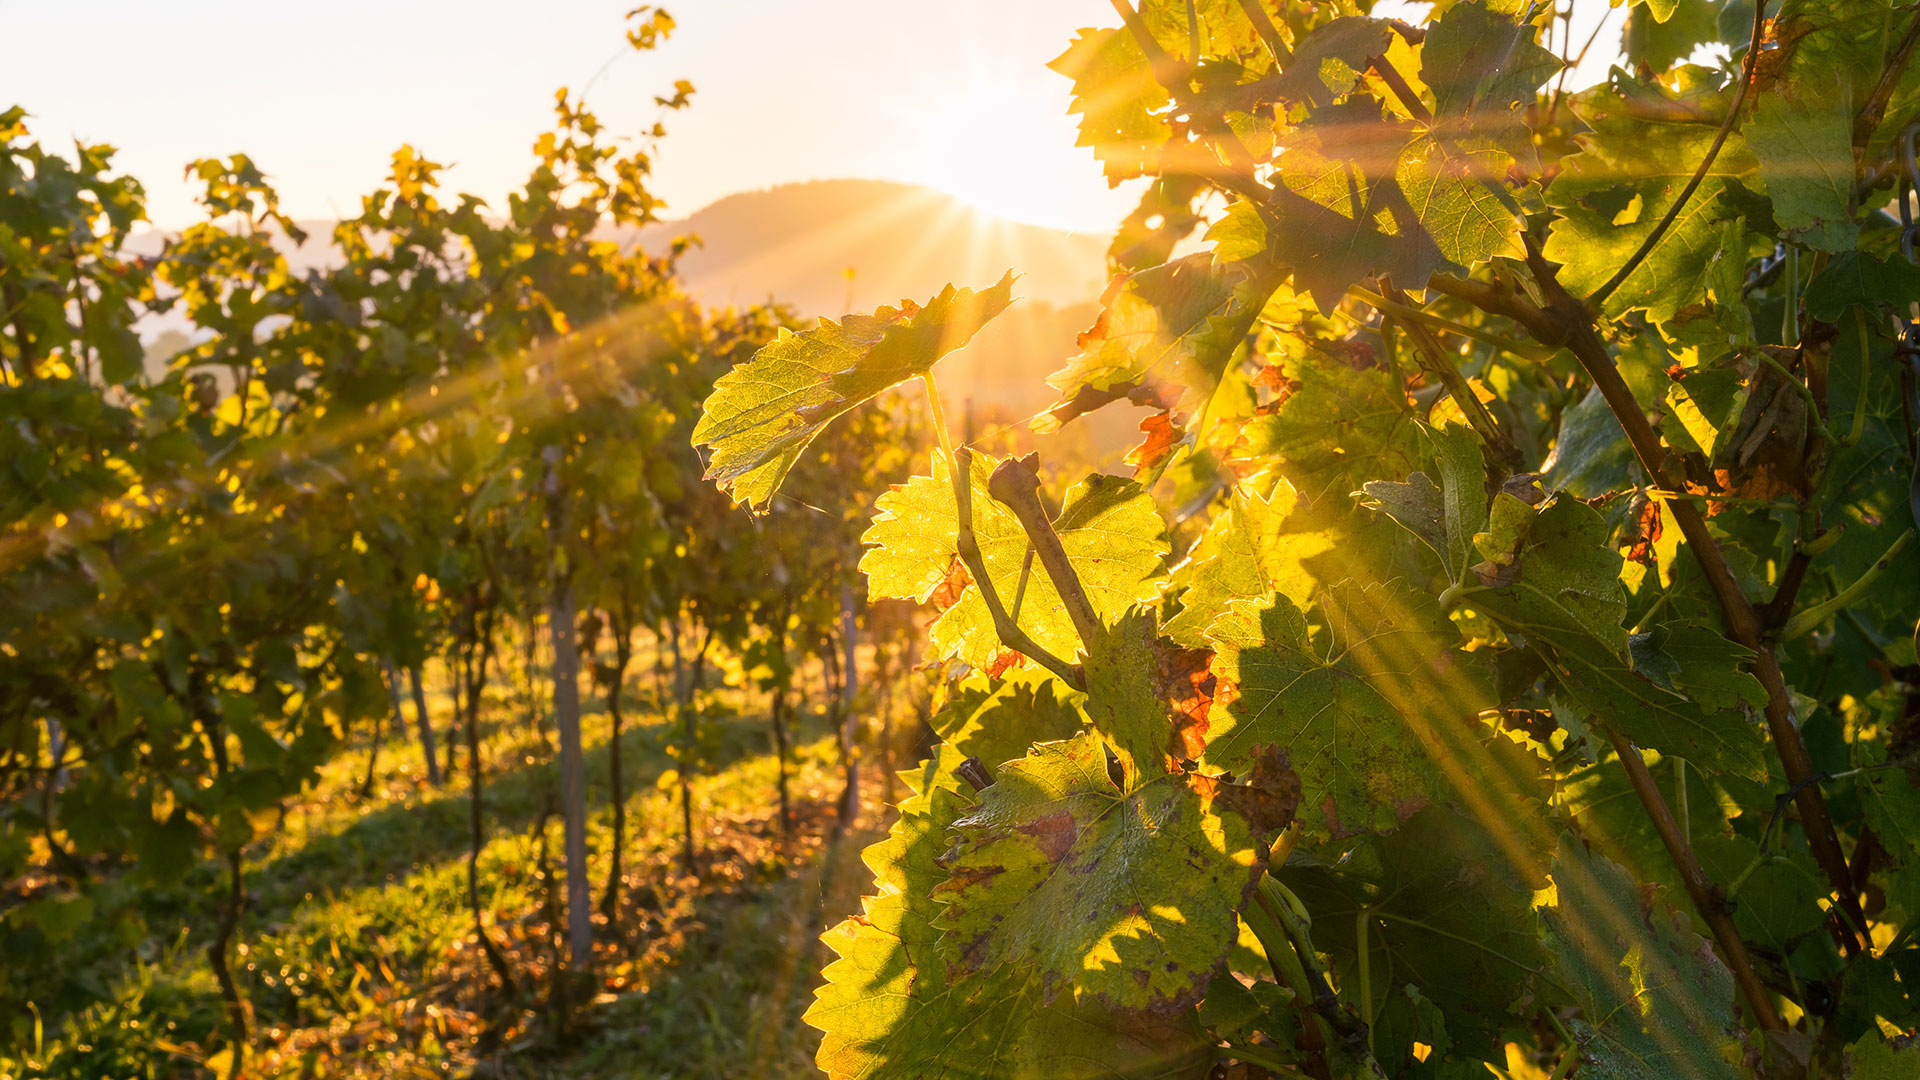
x: 218, y: 568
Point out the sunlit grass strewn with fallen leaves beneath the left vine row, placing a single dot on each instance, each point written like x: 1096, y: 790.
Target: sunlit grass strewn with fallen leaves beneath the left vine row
x: 358, y: 950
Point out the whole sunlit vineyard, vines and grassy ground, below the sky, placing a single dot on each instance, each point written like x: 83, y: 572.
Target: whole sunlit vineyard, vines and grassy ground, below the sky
x: 1495, y: 652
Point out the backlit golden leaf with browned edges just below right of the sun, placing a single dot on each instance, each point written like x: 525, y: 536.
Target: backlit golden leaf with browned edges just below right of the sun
x: 1170, y: 328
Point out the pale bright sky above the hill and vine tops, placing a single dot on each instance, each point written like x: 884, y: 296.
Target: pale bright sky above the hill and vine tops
x: 951, y: 95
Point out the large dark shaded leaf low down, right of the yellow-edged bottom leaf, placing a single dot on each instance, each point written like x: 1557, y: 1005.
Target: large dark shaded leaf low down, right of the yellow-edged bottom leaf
x: 1449, y: 902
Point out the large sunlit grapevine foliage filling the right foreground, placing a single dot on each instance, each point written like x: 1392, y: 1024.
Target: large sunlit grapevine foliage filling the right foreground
x: 1545, y: 479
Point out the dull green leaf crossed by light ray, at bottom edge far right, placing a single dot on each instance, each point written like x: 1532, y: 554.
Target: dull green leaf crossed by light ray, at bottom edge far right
x: 1654, y: 998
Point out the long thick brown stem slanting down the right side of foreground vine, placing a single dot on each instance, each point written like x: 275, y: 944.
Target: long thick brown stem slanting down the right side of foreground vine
x: 1570, y: 324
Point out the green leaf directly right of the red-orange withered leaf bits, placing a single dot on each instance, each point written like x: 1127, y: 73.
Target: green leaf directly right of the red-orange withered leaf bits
x: 1360, y: 768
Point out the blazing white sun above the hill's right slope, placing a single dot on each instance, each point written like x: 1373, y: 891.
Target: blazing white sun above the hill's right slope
x: 1005, y: 145
